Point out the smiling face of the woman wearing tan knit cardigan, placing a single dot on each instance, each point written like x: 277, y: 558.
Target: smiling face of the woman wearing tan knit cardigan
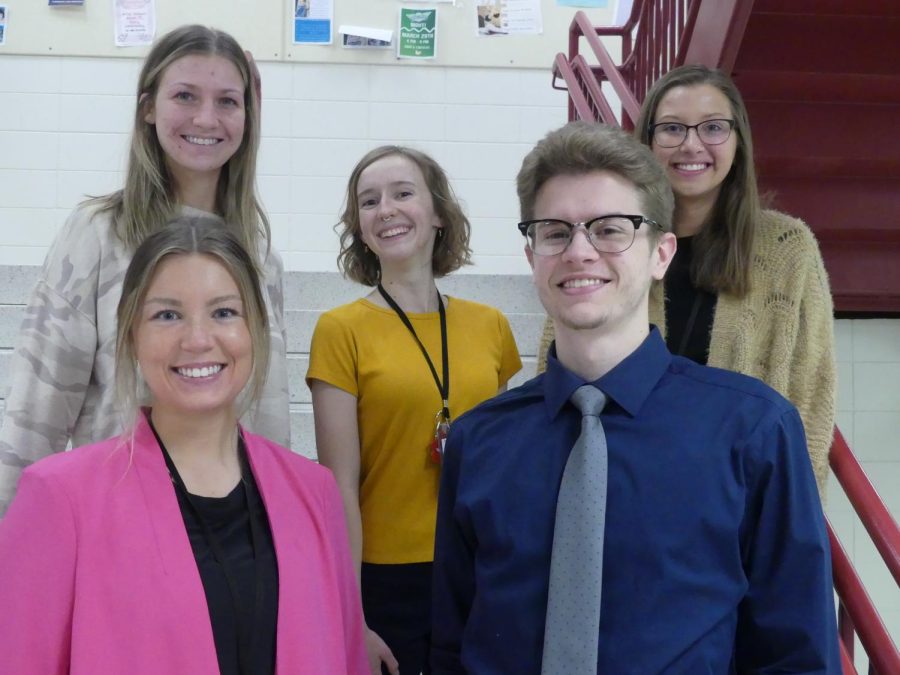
x: 696, y: 170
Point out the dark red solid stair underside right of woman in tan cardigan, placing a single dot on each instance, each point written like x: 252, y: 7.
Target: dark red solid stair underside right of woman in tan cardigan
x: 822, y: 85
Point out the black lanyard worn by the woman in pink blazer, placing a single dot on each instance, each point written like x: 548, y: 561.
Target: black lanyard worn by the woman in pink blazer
x: 244, y: 624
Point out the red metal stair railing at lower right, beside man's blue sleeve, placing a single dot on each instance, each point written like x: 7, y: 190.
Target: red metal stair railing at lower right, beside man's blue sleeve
x: 856, y: 612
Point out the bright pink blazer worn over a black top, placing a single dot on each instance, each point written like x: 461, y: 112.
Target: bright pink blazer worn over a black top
x: 97, y: 574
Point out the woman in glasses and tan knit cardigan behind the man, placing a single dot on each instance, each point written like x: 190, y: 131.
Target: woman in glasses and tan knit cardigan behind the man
x: 747, y: 290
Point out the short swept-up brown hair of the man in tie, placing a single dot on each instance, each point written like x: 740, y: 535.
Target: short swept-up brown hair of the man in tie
x: 583, y: 147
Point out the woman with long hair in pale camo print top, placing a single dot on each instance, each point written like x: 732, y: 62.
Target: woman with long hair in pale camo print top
x: 193, y: 151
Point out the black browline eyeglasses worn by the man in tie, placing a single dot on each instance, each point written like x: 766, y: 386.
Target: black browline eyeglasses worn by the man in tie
x: 608, y: 234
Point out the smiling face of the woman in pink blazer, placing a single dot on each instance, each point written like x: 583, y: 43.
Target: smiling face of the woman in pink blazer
x: 191, y: 339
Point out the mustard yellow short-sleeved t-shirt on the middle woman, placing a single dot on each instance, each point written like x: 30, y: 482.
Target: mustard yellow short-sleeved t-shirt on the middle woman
x: 366, y: 350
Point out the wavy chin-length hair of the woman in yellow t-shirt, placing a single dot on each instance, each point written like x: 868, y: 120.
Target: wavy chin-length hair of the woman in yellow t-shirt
x: 451, y: 247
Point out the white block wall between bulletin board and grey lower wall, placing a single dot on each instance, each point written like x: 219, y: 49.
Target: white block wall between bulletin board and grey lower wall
x: 64, y: 125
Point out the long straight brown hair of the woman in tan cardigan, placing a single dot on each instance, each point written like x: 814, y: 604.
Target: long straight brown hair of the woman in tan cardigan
x: 723, y: 249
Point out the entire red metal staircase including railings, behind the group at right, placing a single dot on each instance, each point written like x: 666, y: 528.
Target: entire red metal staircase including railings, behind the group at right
x: 821, y: 80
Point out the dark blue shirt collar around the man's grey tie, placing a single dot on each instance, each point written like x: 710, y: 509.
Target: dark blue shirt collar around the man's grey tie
x: 629, y: 384
